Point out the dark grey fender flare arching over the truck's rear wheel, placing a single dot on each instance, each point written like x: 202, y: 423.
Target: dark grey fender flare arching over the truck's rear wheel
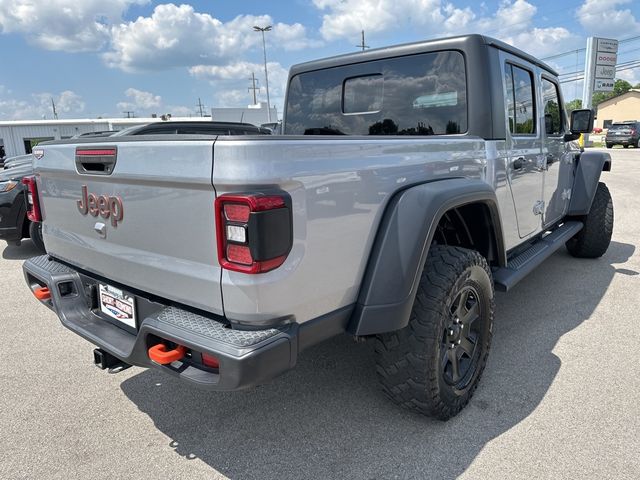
x: 402, y: 243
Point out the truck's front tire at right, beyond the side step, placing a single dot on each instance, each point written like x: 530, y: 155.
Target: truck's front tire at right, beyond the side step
x: 594, y: 238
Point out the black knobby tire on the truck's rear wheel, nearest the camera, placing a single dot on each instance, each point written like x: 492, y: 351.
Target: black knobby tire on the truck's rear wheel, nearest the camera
x: 410, y: 362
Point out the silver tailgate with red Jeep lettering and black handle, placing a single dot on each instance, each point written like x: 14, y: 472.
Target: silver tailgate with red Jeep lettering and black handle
x: 163, y: 239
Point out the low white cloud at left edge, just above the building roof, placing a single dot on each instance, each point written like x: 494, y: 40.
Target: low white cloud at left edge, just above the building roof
x: 39, y: 106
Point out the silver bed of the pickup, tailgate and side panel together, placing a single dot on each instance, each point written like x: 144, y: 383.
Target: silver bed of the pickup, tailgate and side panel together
x: 165, y: 244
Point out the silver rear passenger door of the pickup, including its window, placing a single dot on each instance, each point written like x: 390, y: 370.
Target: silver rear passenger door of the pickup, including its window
x: 524, y: 143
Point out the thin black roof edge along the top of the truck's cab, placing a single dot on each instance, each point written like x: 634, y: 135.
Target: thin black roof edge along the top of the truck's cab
x: 462, y: 42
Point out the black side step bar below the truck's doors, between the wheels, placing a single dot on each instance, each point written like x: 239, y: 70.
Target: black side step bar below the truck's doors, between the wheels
x: 523, y: 264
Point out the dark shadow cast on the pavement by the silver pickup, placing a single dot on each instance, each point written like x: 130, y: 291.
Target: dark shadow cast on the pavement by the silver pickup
x: 328, y: 419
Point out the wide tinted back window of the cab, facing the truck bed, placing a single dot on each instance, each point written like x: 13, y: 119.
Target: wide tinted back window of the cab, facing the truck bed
x: 423, y: 94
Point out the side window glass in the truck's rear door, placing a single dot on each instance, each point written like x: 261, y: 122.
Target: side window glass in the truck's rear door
x: 520, y: 100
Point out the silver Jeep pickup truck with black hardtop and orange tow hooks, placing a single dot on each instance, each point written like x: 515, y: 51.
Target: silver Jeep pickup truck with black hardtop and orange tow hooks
x: 410, y: 183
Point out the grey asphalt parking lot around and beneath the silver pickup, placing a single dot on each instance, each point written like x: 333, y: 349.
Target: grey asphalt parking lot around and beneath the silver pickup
x: 560, y: 397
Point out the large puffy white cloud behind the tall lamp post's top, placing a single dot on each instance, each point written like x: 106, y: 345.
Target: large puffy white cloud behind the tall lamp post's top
x: 179, y: 36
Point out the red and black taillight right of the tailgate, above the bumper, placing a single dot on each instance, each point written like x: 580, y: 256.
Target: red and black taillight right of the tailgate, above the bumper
x: 254, y: 232
